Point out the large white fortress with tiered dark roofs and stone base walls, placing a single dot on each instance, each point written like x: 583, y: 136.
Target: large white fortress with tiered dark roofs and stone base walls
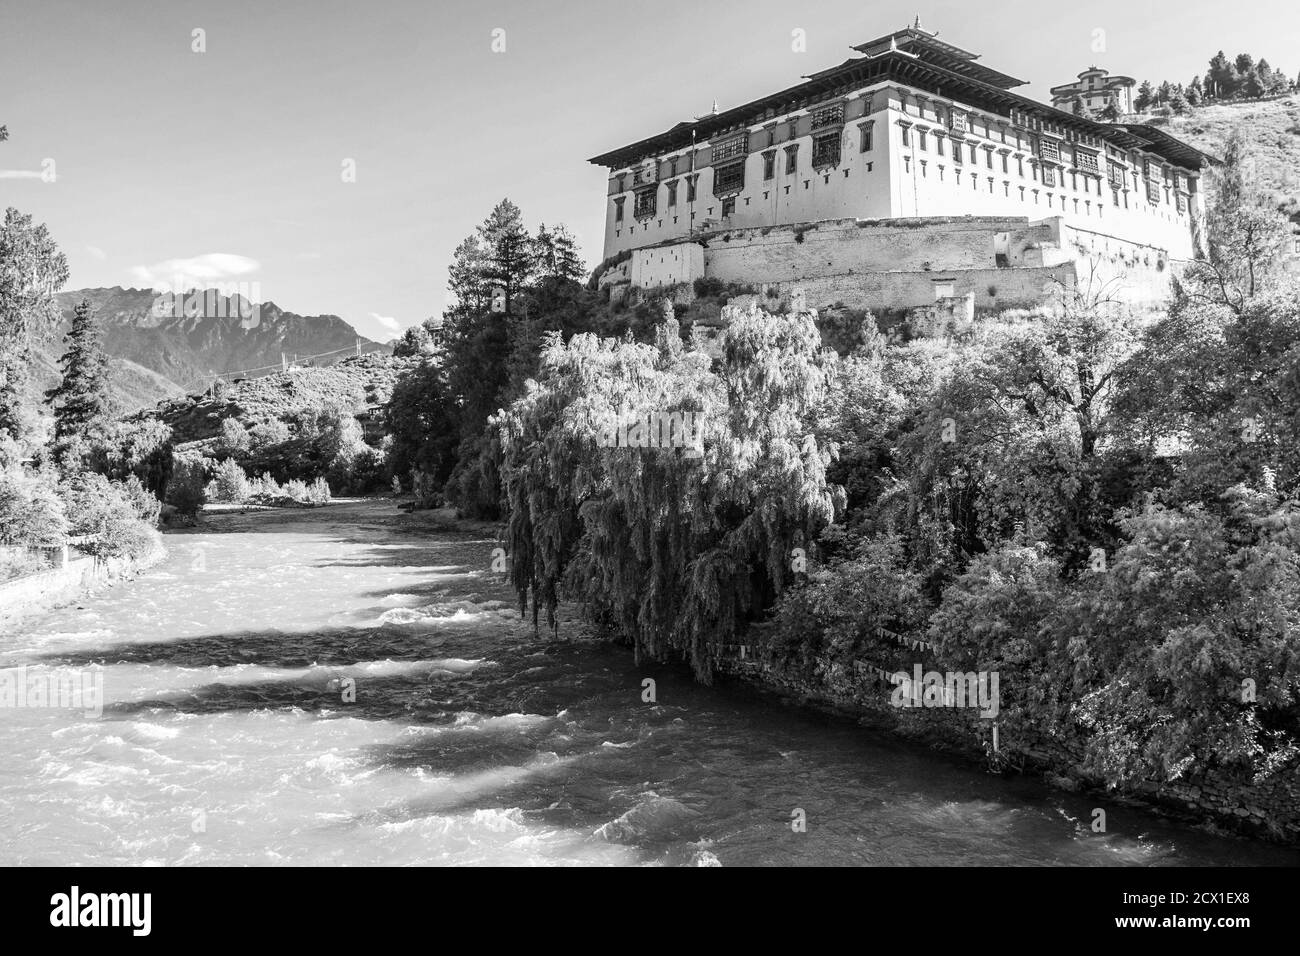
x: 907, y: 175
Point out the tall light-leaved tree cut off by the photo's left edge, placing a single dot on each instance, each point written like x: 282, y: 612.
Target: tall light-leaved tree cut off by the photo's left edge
x: 32, y: 271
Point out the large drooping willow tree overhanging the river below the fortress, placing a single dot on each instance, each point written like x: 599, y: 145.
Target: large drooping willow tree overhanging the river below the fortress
x: 666, y: 498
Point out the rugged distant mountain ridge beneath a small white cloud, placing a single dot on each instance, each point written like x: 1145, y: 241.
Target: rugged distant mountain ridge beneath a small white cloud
x: 158, y: 358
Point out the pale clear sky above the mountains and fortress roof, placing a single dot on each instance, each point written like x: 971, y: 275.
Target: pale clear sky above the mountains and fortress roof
x: 232, y: 165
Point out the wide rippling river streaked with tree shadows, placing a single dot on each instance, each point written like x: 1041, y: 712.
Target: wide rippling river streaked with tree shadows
x: 228, y: 734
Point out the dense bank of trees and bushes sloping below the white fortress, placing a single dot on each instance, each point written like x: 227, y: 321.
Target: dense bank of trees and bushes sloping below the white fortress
x: 1097, y: 505
